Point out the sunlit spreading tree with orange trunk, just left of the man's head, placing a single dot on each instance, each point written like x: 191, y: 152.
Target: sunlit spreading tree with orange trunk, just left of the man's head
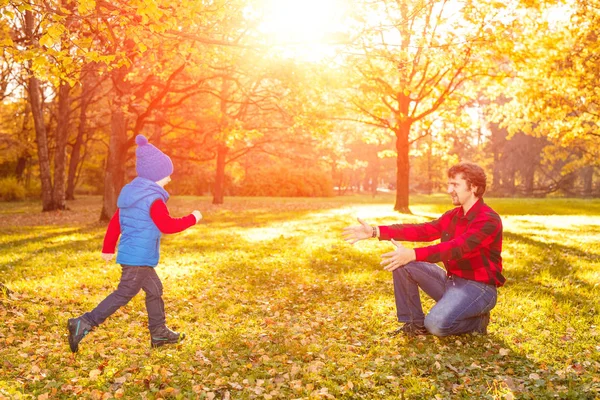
x: 409, y: 59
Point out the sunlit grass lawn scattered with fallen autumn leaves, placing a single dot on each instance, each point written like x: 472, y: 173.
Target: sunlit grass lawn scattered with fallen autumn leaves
x: 277, y: 306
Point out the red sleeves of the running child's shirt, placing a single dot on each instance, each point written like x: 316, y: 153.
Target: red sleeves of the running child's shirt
x: 161, y: 217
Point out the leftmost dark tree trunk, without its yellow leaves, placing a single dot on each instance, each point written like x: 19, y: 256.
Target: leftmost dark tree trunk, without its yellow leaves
x: 41, y: 137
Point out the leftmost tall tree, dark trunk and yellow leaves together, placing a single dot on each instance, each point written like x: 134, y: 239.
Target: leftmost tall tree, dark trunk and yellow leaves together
x: 45, y: 47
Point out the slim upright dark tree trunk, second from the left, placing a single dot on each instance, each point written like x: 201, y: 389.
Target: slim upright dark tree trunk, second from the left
x: 60, y: 154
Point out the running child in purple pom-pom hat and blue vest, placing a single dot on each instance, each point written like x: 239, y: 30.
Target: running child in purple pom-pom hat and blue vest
x: 141, y: 218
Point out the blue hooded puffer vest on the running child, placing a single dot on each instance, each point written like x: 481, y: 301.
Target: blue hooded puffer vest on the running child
x: 140, y: 238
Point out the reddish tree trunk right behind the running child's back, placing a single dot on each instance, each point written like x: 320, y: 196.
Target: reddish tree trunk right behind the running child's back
x: 114, y: 177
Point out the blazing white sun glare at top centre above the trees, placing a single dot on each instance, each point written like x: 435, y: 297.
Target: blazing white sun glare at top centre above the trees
x: 302, y: 28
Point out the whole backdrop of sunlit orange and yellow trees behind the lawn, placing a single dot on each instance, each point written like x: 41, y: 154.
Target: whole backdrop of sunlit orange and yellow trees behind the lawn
x: 372, y: 94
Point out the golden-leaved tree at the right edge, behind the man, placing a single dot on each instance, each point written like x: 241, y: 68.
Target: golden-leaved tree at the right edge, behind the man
x: 552, y: 93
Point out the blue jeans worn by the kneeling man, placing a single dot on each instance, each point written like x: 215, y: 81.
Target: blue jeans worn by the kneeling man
x: 462, y: 305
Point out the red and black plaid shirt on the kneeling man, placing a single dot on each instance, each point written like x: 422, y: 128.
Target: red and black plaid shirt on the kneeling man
x: 470, y: 246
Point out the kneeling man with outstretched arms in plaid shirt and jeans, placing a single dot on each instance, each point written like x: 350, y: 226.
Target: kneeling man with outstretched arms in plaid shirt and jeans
x: 470, y: 248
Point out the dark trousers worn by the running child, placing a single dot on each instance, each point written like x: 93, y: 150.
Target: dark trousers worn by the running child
x: 133, y: 279
